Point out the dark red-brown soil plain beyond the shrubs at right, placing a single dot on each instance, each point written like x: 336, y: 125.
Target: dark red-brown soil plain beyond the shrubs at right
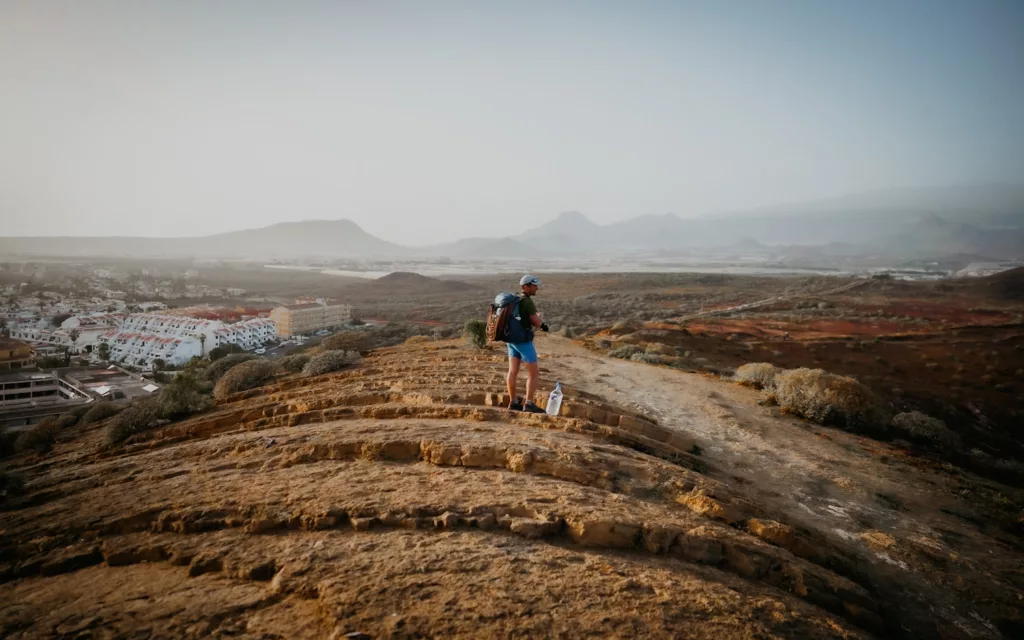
x: 951, y: 351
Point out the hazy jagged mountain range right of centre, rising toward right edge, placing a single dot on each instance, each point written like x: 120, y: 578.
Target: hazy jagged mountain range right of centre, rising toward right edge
x: 982, y: 221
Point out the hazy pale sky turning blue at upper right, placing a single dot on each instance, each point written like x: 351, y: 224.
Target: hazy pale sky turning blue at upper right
x: 429, y: 121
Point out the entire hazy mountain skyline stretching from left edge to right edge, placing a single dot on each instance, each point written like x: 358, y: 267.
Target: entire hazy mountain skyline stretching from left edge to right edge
x: 944, y: 222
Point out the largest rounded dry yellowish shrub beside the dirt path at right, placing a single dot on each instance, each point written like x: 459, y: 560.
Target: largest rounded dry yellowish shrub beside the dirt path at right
x: 831, y: 400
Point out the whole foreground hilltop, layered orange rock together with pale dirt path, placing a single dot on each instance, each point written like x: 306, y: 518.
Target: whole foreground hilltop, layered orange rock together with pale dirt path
x: 399, y: 499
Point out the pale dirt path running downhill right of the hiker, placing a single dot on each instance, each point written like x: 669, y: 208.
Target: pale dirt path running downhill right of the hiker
x: 914, y: 523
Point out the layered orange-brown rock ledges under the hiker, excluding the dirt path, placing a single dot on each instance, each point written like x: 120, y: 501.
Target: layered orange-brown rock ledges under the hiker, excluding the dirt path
x: 400, y: 499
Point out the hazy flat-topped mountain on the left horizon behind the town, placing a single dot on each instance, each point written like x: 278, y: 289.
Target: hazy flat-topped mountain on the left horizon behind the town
x: 287, y: 240
